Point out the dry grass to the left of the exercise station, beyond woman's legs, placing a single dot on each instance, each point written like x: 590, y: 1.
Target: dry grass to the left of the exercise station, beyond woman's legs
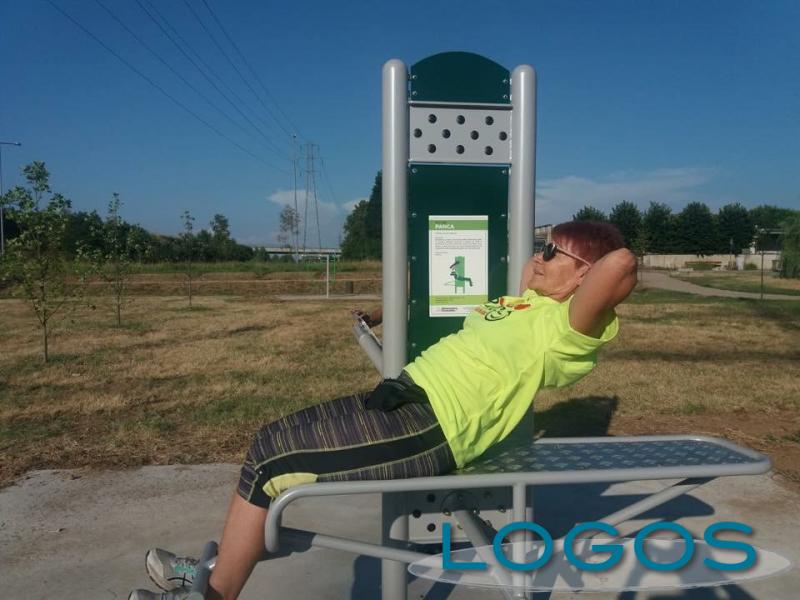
x: 187, y: 386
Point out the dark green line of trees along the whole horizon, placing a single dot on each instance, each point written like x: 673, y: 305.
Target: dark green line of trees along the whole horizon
x: 656, y: 230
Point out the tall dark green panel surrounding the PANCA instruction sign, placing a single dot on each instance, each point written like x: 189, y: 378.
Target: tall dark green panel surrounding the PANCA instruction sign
x: 451, y: 190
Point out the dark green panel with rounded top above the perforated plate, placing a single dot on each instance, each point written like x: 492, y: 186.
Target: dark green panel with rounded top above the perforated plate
x: 460, y: 77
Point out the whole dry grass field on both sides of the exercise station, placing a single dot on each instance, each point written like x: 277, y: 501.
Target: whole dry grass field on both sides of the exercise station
x: 174, y: 385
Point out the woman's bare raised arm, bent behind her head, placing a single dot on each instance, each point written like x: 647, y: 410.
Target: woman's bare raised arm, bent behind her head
x: 605, y: 285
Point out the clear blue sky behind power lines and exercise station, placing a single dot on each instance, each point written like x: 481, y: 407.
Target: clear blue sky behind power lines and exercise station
x: 670, y: 101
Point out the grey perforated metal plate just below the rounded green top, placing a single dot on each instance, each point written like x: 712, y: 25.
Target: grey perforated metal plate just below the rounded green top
x: 459, y: 134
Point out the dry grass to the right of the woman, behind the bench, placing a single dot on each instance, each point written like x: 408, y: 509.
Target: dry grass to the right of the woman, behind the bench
x: 724, y: 368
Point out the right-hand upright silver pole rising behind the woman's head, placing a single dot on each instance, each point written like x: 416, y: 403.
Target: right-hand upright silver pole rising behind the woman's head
x: 523, y: 173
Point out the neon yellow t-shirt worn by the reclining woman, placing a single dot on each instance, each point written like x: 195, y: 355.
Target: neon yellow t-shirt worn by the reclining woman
x: 482, y: 380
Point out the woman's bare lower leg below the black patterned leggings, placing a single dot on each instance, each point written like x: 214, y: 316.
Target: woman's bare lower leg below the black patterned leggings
x: 242, y: 546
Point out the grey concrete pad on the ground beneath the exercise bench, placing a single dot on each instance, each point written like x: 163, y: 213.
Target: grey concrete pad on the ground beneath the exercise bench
x: 83, y: 534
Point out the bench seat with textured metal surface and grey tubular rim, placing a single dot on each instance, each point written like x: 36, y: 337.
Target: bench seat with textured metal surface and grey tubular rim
x: 559, y: 461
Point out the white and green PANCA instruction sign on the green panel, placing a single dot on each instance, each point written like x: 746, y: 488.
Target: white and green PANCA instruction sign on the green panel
x: 459, y: 263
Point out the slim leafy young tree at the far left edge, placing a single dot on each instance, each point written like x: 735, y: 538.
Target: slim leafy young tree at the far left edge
x: 35, y: 260
